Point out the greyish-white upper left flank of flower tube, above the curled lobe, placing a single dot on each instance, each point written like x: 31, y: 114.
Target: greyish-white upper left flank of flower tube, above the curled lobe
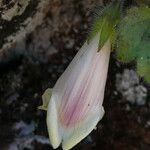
x: 70, y: 75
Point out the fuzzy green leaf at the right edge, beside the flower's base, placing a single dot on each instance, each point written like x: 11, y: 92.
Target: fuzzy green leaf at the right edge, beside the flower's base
x: 134, y: 39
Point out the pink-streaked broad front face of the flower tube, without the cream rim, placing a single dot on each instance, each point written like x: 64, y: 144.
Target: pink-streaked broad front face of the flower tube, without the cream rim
x: 87, y: 93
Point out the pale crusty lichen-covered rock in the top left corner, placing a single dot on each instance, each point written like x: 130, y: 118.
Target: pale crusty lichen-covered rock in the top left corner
x: 16, y: 24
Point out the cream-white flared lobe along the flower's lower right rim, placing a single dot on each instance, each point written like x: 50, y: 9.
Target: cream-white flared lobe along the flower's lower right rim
x: 74, y: 135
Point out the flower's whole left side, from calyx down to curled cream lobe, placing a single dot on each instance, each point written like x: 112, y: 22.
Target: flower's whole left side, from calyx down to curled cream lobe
x: 63, y: 84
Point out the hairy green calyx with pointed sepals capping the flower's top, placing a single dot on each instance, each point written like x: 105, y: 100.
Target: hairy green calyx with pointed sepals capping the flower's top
x: 105, y: 23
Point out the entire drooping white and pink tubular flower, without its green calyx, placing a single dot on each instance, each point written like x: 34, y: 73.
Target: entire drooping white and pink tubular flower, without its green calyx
x: 75, y: 106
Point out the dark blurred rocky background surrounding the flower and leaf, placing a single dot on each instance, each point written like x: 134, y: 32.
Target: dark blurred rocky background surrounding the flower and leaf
x: 37, y: 42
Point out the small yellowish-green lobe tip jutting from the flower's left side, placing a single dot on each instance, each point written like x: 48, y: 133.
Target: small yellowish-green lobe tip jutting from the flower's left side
x: 46, y: 98
